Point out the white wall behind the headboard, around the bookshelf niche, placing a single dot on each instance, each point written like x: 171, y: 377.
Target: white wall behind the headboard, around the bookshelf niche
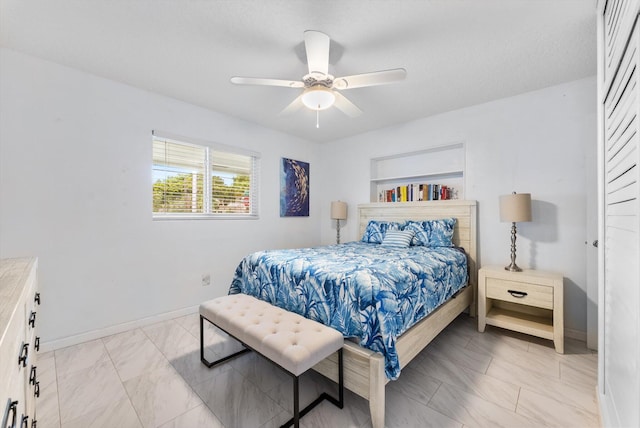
x: 535, y: 142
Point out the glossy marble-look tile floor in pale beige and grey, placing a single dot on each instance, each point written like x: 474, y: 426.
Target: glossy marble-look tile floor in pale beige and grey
x: 152, y: 377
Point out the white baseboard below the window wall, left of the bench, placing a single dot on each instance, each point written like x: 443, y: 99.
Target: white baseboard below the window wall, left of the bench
x: 119, y: 328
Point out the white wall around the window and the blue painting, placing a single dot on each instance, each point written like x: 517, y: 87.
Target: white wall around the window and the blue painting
x: 75, y: 190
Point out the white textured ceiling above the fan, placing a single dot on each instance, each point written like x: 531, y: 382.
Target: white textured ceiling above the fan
x: 457, y: 53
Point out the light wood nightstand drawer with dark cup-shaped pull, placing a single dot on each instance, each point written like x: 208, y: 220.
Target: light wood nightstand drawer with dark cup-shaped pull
x: 519, y: 292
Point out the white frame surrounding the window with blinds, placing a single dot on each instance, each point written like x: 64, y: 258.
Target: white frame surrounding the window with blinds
x: 209, y: 146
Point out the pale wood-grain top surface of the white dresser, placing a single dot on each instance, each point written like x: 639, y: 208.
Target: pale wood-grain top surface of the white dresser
x: 13, y: 277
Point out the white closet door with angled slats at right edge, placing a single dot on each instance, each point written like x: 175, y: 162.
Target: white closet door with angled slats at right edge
x: 620, y: 371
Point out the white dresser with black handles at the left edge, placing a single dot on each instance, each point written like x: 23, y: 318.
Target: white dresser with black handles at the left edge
x: 19, y: 343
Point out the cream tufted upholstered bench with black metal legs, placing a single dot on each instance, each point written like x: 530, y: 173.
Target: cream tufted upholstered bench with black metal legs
x: 291, y: 341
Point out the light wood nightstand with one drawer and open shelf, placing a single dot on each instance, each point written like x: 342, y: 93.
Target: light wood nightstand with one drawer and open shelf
x: 530, y: 302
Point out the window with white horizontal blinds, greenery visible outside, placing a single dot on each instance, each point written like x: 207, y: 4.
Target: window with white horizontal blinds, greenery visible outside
x: 194, y: 179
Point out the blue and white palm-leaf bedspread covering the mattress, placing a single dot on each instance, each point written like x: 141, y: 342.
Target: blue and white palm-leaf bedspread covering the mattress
x: 366, y: 291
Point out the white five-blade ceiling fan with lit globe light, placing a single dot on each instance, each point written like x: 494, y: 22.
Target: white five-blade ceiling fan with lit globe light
x: 321, y: 89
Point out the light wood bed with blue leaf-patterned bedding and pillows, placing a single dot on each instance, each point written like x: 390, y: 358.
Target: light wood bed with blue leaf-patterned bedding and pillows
x: 353, y: 288
